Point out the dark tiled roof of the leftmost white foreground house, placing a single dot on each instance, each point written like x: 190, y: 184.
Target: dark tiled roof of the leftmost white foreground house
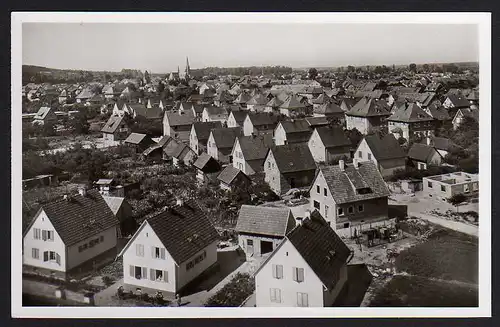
x: 79, y: 217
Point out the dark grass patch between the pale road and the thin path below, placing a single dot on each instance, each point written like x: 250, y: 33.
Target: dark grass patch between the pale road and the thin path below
x: 446, y: 255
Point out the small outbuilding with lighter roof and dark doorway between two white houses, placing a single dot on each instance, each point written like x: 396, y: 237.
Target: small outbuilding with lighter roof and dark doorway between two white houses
x: 261, y: 229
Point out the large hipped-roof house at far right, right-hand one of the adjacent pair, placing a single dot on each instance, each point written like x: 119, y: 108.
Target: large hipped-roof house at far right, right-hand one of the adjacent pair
x: 410, y: 121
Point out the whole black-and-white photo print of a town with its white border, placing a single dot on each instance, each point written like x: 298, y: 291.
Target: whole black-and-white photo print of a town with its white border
x: 258, y: 165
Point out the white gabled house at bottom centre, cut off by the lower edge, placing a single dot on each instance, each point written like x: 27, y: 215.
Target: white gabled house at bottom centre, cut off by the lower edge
x: 307, y: 269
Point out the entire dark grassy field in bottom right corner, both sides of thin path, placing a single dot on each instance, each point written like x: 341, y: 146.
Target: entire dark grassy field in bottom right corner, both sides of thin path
x: 440, y: 272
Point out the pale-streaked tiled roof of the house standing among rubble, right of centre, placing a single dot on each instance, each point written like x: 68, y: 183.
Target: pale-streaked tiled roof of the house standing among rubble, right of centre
x: 345, y: 185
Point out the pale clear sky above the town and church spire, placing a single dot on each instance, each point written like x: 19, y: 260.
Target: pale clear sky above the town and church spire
x: 160, y: 48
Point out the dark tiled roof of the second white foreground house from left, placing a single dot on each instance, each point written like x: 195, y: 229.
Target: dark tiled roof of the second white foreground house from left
x: 183, y: 230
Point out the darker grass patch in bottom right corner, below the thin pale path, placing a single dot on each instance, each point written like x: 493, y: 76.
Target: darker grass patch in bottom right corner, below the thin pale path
x: 414, y: 291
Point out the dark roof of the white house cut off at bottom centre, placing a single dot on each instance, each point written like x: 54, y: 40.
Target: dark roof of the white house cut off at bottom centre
x: 322, y: 249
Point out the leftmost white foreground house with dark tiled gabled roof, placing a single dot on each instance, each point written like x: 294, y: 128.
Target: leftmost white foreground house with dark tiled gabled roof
x: 69, y: 232
